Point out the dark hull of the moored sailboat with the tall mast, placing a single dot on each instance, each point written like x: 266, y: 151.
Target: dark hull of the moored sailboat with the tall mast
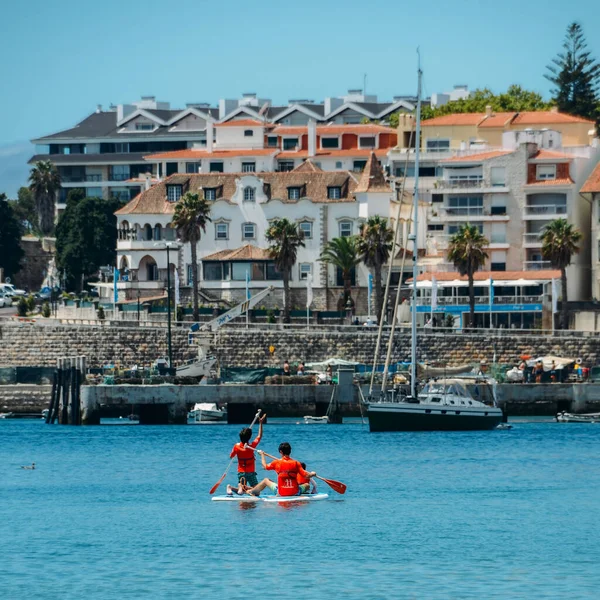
x: 389, y: 416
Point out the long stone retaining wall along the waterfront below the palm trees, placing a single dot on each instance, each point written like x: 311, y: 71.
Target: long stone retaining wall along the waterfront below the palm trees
x: 36, y: 345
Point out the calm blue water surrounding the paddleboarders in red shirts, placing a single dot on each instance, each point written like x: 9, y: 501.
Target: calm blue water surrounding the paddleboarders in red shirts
x: 124, y: 512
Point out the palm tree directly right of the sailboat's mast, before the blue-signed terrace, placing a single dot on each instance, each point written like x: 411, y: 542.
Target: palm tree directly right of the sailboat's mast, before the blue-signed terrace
x: 466, y: 251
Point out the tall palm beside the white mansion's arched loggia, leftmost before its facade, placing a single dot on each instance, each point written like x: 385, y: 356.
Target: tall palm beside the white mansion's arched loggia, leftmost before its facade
x: 191, y: 216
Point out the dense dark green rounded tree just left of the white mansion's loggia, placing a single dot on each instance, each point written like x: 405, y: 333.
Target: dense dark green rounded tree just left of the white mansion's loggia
x: 86, y: 238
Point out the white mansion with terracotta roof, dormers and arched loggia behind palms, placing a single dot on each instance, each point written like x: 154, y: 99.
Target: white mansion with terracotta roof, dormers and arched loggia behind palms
x: 325, y: 204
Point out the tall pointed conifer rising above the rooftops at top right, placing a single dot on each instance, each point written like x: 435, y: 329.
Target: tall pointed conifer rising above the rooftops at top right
x: 575, y: 75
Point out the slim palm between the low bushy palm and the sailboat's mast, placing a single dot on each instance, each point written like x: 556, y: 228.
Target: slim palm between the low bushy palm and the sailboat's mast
x: 374, y: 245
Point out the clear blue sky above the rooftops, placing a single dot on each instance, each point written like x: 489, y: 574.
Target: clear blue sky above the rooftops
x: 60, y: 59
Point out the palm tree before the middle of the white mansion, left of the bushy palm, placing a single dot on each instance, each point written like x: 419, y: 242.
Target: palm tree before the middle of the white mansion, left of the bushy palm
x: 285, y: 238
